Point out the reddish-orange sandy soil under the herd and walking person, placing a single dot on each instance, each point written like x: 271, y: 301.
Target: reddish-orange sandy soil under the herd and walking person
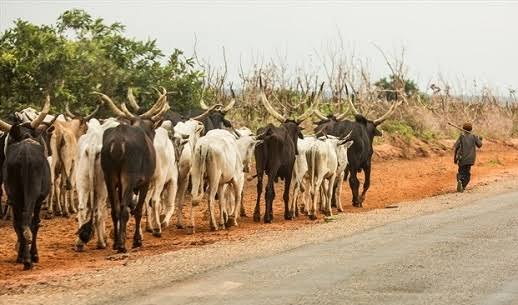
x: 393, y: 181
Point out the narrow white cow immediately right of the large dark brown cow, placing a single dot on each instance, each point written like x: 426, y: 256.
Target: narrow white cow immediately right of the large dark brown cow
x: 164, y: 183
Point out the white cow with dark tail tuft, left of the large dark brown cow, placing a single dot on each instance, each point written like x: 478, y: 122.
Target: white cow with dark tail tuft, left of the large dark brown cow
x: 91, y: 188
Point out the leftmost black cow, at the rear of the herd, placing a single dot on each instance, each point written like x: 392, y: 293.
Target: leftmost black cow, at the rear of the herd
x: 26, y: 175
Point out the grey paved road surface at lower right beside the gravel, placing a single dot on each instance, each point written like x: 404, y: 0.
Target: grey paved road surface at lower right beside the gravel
x: 466, y: 255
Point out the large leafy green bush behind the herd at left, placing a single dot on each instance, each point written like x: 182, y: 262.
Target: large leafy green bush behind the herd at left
x: 80, y: 54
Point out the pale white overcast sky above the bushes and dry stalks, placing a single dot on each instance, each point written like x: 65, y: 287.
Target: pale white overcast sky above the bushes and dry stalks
x: 462, y: 40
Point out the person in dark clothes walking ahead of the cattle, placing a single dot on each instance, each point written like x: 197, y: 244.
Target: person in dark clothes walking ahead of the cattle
x: 465, y: 155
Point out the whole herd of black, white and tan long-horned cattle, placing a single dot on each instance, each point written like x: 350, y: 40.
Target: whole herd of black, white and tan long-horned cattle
x: 145, y: 161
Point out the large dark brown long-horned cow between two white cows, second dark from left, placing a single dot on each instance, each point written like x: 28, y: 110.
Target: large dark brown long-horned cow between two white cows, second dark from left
x: 128, y: 161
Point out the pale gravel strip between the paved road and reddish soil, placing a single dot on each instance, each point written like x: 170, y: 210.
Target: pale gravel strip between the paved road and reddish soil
x: 96, y: 287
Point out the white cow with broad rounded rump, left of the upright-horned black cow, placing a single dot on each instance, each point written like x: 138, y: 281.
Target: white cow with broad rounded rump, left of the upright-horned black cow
x: 217, y: 157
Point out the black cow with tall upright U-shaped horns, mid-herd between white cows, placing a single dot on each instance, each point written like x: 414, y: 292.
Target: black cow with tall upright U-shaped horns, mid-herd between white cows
x: 275, y: 155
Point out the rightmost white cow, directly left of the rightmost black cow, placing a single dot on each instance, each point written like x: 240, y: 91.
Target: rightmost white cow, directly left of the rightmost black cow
x: 323, y: 165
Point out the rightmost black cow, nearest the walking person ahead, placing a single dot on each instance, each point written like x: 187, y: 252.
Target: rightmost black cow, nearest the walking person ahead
x: 360, y: 153
